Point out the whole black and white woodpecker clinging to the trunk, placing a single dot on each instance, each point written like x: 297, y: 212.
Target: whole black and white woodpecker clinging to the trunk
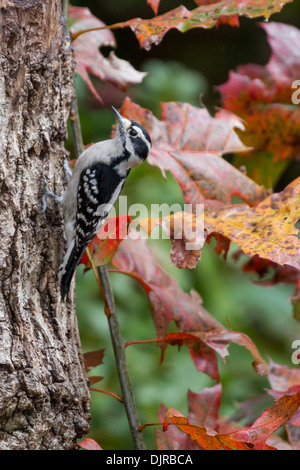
x: 96, y: 182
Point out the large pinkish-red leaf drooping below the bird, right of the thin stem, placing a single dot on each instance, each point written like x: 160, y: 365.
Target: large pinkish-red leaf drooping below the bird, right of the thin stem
x: 168, y: 301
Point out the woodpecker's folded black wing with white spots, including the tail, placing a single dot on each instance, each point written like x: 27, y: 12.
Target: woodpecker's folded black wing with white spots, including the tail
x: 99, y: 187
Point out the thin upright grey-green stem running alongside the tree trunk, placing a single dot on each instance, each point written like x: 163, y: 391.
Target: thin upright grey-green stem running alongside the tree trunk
x: 110, y: 310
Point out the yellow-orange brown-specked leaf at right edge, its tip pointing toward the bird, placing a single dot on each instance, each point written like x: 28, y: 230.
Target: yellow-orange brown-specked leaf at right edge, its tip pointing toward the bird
x: 267, y: 230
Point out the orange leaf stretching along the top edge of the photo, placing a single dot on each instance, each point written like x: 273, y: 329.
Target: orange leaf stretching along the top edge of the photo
x: 151, y: 32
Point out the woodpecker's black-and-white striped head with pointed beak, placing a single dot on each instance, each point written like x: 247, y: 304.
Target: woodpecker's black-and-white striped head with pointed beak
x: 135, y: 140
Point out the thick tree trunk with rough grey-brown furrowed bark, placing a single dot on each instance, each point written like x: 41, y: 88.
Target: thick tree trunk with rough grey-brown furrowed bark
x: 44, y: 397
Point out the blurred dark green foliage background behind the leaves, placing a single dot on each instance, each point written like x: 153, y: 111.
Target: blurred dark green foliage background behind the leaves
x: 184, y: 67
